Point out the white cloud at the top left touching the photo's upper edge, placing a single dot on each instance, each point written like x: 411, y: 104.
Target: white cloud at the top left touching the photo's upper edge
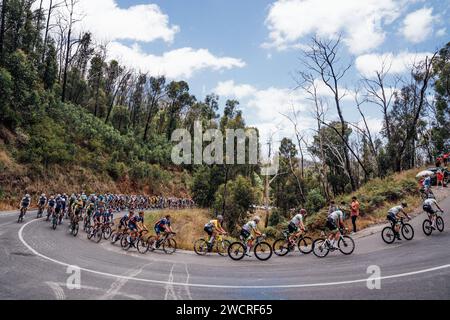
x: 108, y: 22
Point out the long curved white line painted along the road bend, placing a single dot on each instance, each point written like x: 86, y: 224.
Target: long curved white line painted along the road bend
x: 401, y: 275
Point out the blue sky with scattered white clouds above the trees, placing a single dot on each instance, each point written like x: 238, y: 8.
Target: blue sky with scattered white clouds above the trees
x: 249, y: 49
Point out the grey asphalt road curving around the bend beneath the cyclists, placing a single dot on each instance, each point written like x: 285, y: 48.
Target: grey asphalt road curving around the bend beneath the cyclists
x: 37, y: 263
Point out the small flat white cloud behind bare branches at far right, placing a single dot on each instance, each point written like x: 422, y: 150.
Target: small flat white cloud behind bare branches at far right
x: 368, y: 64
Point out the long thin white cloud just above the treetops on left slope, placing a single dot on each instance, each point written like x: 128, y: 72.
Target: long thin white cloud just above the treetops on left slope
x: 179, y: 63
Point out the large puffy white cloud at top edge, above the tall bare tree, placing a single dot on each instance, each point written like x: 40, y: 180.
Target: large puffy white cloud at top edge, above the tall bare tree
x: 360, y: 22
